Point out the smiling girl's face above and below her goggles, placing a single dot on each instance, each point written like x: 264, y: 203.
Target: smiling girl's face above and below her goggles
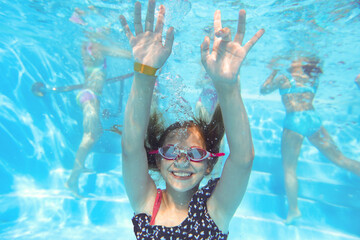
x: 181, y: 174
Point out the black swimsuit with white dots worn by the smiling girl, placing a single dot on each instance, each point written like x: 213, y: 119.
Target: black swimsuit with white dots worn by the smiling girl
x: 197, y: 225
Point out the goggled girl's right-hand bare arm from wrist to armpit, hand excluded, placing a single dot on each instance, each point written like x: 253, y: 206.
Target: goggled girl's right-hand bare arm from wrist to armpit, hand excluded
x: 231, y: 188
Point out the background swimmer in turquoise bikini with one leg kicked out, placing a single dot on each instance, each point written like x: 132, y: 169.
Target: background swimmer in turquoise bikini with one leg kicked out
x: 297, y: 93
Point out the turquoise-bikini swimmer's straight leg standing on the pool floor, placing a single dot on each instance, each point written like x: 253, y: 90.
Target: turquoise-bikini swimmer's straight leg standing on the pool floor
x: 290, y: 150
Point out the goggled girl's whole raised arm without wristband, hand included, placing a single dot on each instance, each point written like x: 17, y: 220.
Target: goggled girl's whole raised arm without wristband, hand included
x: 223, y: 66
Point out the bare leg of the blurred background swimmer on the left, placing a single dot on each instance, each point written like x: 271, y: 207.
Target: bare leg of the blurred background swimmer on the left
x: 92, y: 133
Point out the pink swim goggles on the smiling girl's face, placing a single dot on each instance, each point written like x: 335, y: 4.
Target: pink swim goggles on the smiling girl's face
x: 194, y: 154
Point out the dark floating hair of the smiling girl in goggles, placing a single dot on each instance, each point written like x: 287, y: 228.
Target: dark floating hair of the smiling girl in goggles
x: 211, y: 132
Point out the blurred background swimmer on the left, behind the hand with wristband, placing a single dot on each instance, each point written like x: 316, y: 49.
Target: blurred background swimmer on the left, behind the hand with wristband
x: 93, y: 54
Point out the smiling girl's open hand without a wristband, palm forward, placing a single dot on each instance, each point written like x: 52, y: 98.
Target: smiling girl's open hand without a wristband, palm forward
x: 223, y: 64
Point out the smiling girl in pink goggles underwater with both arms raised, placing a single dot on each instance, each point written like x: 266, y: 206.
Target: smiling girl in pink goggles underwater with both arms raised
x: 186, y: 151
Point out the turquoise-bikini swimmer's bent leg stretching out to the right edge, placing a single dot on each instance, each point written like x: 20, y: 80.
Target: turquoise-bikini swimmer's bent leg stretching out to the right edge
x: 326, y: 145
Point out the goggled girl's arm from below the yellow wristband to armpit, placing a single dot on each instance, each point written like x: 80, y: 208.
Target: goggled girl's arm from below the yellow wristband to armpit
x: 138, y: 183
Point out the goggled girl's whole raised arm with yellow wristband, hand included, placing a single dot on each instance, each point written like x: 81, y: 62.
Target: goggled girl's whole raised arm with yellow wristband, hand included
x: 149, y: 55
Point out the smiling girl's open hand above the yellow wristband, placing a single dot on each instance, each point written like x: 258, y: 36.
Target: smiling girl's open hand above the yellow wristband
x: 147, y: 45
